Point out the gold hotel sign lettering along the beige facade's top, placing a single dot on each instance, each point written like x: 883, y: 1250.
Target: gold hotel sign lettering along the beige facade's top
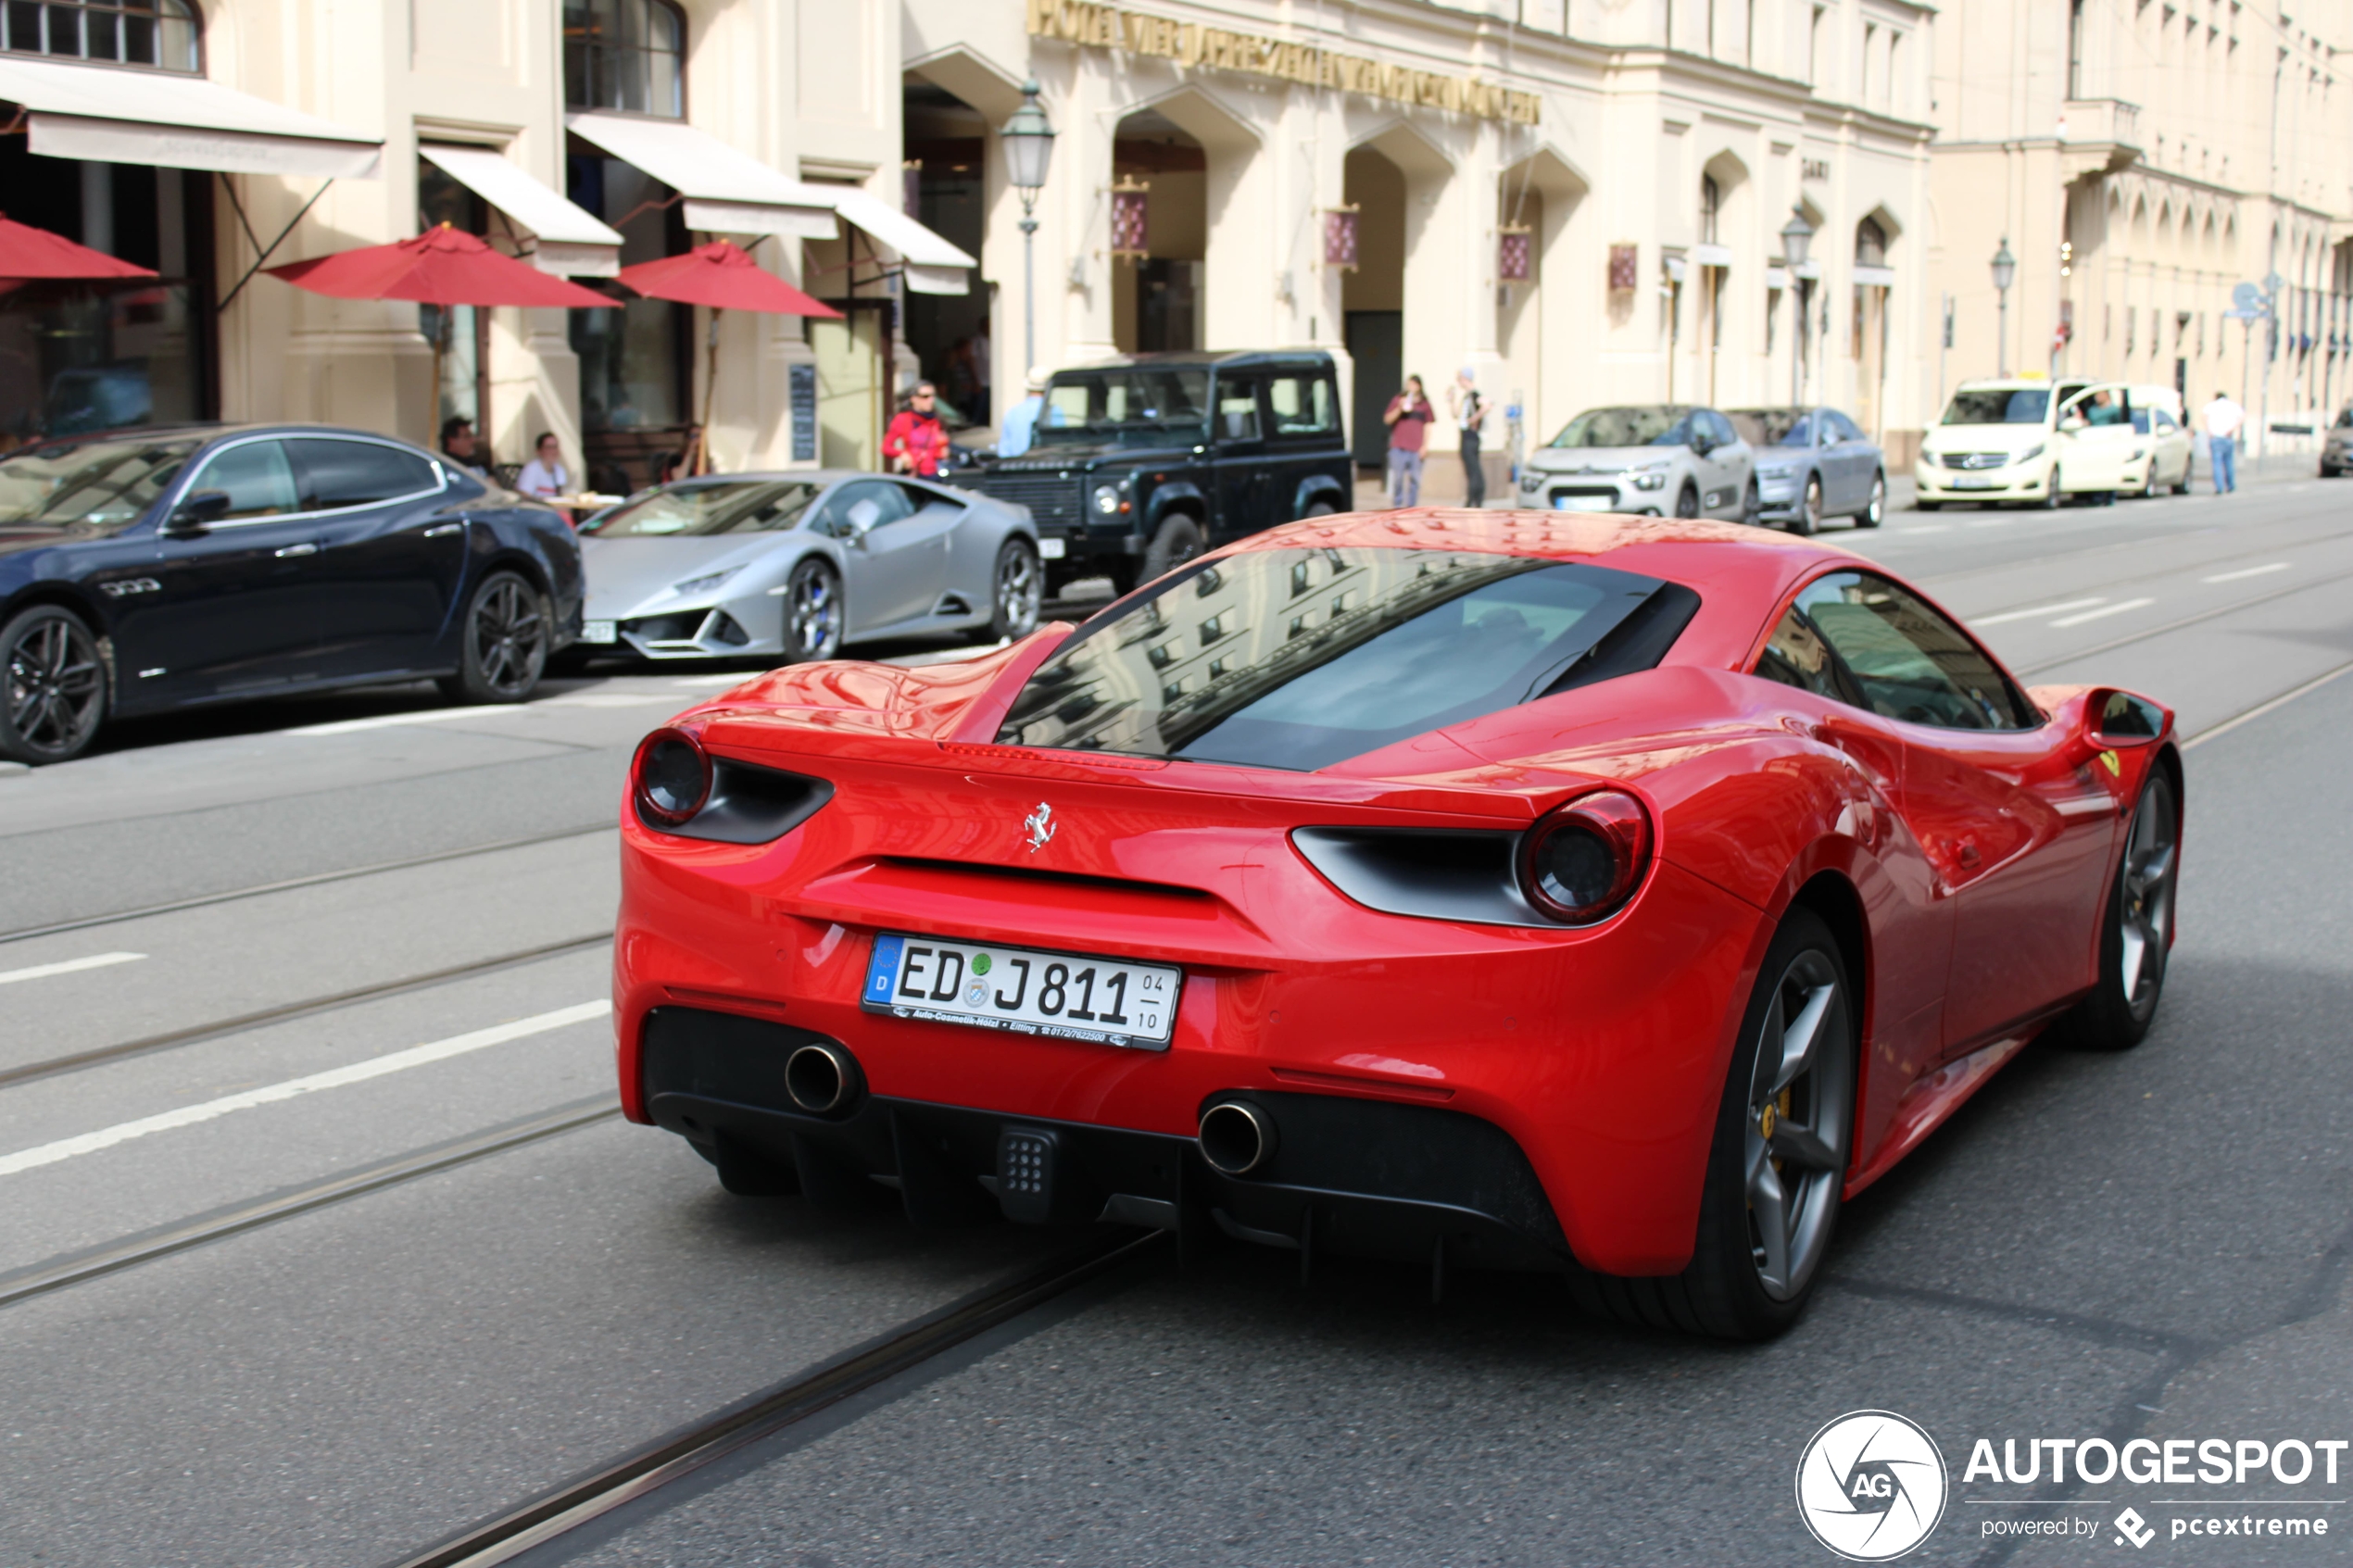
x: 1187, y: 43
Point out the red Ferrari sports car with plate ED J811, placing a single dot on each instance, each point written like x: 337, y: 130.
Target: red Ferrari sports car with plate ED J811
x: 1481, y: 890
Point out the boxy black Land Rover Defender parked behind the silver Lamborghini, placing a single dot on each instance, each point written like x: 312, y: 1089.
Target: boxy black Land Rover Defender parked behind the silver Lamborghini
x: 1145, y: 464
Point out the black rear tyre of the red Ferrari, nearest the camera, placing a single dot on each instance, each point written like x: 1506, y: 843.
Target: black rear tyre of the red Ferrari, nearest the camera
x: 1738, y: 1287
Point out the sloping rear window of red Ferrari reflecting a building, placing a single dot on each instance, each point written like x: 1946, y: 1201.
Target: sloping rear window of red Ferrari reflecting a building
x: 1298, y: 659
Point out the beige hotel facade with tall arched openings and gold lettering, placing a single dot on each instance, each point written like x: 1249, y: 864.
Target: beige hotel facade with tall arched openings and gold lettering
x: 1582, y: 203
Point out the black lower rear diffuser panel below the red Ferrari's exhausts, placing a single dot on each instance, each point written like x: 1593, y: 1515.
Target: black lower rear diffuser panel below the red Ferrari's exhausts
x: 1349, y: 1177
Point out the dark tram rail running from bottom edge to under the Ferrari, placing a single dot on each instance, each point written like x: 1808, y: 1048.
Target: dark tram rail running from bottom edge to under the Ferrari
x: 775, y: 1409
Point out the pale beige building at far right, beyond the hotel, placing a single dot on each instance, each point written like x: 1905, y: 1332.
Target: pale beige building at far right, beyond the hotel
x: 2145, y: 163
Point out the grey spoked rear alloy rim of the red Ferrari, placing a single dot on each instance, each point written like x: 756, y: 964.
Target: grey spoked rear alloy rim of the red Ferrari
x: 1799, y: 1113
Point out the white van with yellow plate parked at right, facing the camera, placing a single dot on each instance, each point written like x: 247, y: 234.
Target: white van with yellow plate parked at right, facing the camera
x: 2029, y: 443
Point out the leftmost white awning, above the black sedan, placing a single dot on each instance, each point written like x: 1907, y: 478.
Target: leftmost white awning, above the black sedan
x: 173, y: 121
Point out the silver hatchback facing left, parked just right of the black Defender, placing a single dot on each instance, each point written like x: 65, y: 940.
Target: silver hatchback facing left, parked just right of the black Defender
x: 1648, y: 460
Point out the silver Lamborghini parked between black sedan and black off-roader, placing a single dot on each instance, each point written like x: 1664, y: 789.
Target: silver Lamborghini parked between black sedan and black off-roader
x: 796, y: 565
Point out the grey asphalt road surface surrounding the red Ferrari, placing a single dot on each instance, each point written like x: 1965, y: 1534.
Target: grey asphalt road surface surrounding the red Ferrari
x: 267, y: 951
